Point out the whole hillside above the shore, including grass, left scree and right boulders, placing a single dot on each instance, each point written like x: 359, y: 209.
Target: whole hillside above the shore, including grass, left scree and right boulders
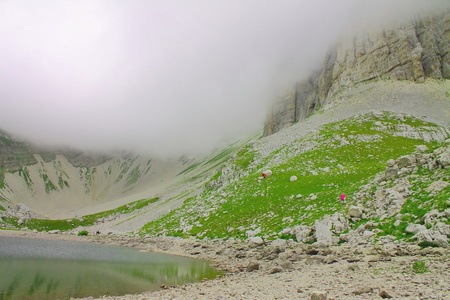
x: 392, y: 168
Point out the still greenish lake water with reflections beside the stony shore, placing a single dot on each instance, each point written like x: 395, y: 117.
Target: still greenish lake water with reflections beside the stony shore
x: 48, y: 269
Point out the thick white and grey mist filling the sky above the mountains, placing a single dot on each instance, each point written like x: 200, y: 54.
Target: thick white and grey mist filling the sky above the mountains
x: 166, y: 77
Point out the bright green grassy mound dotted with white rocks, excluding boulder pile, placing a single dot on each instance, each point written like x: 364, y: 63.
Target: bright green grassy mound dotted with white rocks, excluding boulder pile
x: 337, y: 158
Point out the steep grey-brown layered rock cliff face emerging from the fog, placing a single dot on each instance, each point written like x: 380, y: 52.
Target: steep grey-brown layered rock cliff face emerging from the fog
x: 412, y: 51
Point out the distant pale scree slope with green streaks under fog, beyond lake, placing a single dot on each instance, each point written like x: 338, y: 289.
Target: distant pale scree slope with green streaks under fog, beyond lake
x: 67, y: 183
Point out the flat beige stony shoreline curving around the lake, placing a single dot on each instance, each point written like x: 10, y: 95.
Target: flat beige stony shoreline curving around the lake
x: 283, y: 269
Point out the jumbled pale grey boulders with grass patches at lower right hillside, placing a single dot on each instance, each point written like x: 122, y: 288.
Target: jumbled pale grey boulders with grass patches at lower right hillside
x: 385, y: 198
